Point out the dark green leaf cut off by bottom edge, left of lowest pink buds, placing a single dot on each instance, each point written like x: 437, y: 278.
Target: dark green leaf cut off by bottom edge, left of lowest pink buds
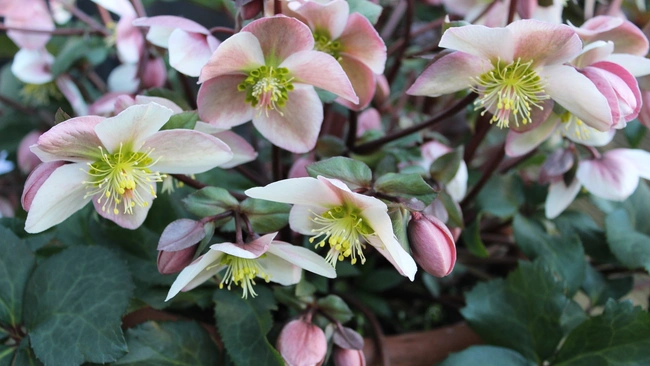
x: 169, y: 343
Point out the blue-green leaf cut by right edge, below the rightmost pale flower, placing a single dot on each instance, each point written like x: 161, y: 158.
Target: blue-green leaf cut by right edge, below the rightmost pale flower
x: 630, y: 247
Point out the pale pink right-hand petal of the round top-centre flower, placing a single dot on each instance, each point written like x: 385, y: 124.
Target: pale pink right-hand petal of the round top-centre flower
x: 321, y: 70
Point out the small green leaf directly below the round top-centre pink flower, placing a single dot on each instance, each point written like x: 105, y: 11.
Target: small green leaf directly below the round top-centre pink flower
x: 352, y: 172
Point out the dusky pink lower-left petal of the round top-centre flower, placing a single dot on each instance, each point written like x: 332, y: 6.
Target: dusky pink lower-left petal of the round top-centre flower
x: 221, y: 104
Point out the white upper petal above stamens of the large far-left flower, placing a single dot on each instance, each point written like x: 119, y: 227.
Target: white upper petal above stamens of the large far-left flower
x: 132, y: 127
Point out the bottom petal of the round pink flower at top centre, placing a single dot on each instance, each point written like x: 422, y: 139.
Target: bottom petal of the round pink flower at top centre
x: 297, y: 128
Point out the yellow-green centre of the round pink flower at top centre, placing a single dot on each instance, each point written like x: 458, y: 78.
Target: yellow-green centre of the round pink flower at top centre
x: 267, y: 88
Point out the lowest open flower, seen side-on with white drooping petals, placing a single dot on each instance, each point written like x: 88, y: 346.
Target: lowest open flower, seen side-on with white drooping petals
x: 263, y: 257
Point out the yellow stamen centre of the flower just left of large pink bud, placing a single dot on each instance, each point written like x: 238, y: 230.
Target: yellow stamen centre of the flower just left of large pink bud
x: 342, y: 228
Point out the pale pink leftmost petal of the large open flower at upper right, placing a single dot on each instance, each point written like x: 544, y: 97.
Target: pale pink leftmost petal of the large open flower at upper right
x: 449, y: 74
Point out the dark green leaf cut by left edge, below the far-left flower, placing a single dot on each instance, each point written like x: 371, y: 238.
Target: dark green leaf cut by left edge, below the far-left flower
x: 16, y: 264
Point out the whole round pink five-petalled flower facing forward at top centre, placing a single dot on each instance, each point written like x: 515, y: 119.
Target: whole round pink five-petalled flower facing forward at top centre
x: 267, y: 73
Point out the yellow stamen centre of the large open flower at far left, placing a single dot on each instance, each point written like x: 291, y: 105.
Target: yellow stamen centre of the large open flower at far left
x: 120, y: 178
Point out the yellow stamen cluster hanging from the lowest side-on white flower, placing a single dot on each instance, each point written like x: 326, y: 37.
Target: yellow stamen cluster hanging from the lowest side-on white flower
x: 242, y: 272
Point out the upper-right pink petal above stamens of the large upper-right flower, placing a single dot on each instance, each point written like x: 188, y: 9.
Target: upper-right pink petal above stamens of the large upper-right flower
x: 544, y: 43
